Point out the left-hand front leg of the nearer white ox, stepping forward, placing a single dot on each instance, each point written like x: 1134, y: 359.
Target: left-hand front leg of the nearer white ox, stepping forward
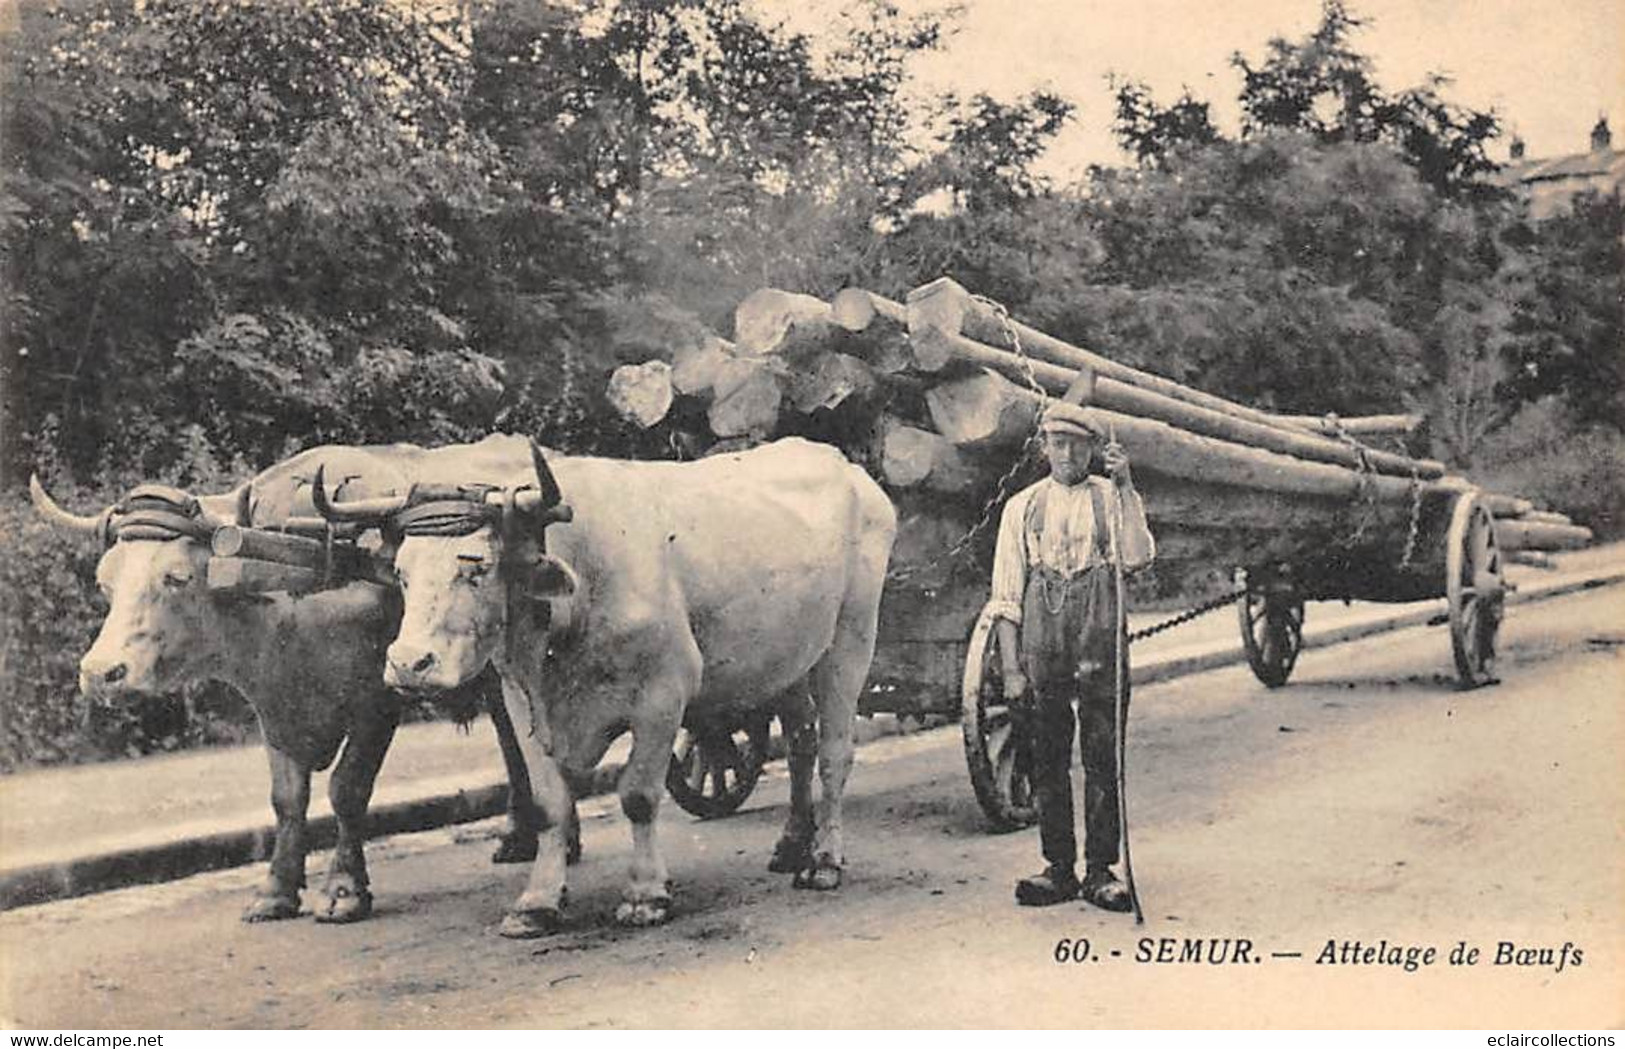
x: 539, y: 912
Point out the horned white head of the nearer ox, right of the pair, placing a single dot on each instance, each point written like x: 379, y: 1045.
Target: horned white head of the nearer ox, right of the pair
x: 470, y: 561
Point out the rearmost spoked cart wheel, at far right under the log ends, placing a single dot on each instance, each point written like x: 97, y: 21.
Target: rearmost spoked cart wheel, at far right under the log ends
x: 1475, y: 590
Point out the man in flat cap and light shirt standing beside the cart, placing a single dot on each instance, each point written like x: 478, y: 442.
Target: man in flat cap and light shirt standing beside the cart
x: 1055, y: 602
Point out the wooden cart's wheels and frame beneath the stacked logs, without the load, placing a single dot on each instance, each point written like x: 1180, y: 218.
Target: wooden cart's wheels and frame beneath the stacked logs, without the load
x: 938, y: 654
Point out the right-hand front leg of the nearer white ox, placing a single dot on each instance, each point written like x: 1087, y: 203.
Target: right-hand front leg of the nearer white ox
x: 648, y: 900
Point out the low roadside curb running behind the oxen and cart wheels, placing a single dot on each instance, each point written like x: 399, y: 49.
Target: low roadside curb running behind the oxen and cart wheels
x: 235, y: 848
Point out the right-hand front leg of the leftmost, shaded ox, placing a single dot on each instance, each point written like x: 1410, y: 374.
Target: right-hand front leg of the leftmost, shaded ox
x: 347, y: 892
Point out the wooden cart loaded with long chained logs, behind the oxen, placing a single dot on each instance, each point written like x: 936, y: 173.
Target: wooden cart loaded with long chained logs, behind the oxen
x: 940, y: 399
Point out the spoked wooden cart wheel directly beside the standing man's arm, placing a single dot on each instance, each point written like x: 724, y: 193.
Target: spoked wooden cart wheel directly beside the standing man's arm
x: 999, y: 759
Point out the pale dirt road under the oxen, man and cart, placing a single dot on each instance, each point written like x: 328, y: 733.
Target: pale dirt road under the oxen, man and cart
x: 1367, y: 801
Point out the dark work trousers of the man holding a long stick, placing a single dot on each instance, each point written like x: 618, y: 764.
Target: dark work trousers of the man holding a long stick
x: 1068, y: 645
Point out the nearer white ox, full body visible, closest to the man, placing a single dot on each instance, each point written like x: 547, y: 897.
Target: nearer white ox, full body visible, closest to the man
x: 664, y: 595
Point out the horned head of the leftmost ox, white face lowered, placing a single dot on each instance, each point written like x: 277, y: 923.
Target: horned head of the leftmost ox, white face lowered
x: 154, y: 574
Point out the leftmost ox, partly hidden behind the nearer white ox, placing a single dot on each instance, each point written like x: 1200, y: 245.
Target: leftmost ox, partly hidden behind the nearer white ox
x: 310, y: 667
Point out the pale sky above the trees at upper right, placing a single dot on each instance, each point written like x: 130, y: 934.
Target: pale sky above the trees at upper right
x: 1548, y: 69
